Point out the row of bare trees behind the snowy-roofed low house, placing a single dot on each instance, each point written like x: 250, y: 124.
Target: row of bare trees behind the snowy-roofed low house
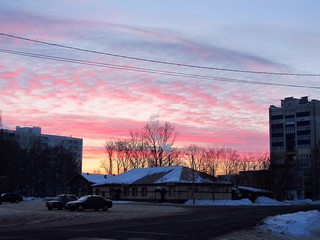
x: 154, y: 146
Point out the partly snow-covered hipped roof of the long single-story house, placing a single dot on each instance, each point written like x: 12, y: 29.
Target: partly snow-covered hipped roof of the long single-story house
x: 159, y: 175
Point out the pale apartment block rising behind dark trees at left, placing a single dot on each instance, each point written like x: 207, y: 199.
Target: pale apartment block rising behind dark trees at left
x: 27, y: 135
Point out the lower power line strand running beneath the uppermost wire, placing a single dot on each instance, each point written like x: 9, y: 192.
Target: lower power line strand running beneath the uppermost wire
x: 148, y: 70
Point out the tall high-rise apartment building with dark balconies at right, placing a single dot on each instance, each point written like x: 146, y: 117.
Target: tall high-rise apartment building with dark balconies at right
x: 295, y: 146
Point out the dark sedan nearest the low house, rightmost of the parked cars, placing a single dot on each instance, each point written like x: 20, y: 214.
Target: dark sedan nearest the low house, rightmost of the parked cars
x: 95, y: 202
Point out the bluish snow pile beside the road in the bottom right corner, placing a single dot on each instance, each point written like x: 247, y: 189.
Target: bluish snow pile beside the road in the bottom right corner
x: 295, y: 224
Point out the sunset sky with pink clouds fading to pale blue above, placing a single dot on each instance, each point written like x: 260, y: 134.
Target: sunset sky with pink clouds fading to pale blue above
x: 98, y: 69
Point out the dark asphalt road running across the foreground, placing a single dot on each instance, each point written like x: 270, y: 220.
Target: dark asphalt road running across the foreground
x: 200, y: 222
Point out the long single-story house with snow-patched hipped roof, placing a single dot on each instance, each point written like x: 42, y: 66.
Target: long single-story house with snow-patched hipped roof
x: 170, y: 184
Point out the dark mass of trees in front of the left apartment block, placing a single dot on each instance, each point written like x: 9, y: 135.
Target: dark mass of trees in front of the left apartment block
x: 34, y: 169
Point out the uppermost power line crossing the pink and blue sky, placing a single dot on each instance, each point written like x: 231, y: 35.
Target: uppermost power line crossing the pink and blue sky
x: 160, y: 62
